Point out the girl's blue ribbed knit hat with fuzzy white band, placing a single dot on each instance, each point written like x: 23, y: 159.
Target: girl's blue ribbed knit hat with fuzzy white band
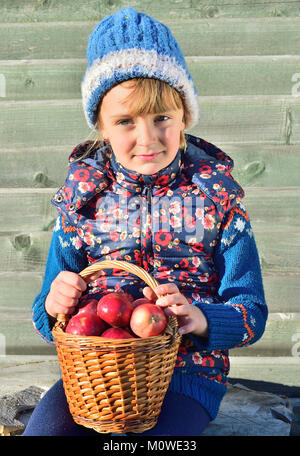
x: 129, y: 45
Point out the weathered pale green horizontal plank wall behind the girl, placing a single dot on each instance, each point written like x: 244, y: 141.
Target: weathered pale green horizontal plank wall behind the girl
x: 245, y: 60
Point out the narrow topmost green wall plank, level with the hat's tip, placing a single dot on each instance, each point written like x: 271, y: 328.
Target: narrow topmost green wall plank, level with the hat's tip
x: 37, y: 10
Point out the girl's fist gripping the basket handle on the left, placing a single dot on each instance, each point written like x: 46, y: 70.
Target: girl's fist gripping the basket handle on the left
x: 65, y: 292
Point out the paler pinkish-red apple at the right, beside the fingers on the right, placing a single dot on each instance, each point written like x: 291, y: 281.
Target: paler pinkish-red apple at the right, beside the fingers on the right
x: 148, y: 320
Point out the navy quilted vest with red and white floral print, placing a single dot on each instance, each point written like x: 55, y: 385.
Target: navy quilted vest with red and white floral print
x: 168, y: 223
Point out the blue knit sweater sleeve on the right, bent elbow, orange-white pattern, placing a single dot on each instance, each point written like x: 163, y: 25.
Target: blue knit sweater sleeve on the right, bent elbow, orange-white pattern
x: 238, y: 315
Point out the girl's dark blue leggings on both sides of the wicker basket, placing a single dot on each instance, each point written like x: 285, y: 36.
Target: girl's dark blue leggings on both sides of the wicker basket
x: 179, y: 416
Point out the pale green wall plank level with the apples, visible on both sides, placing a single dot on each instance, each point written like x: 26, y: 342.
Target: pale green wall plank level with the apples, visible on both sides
x: 19, y: 290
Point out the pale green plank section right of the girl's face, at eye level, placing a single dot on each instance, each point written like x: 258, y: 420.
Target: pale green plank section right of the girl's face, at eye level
x: 245, y: 119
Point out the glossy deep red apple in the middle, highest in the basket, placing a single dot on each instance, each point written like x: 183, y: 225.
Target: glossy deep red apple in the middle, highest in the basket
x: 115, y: 309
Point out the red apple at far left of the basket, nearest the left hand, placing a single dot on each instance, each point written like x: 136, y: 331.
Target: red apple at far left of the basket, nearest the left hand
x: 86, y: 324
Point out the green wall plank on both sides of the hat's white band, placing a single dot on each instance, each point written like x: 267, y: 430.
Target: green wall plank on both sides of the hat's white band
x: 217, y: 76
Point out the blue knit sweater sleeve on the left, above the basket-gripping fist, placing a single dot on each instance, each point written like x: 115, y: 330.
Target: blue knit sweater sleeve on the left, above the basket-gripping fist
x: 66, y: 253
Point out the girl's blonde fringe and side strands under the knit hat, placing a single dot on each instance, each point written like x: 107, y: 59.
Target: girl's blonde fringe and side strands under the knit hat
x: 150, y: 96
